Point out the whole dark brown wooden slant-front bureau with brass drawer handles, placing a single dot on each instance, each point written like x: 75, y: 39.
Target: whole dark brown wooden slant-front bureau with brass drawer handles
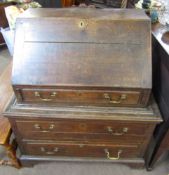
x: 74, y: 99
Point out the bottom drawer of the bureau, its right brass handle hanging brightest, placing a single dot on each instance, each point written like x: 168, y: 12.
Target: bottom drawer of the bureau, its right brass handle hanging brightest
x: 108, y: 151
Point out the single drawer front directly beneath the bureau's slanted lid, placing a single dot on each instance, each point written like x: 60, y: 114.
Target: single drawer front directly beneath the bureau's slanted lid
x: 76, y: 97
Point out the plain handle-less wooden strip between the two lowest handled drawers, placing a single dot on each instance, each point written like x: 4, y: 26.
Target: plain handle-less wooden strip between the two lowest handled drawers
x: 105, y: 138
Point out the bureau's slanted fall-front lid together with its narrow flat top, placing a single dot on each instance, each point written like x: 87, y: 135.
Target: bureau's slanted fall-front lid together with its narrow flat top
x: 83, y: 47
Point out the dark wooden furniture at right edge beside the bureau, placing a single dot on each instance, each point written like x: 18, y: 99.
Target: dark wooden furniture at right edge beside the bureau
x: 160, y: 50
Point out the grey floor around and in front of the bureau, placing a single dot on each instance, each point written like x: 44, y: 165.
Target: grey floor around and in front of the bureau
x: 77, y: 168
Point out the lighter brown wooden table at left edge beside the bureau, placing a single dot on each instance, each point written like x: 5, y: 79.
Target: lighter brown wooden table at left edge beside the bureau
x: 5, y: 127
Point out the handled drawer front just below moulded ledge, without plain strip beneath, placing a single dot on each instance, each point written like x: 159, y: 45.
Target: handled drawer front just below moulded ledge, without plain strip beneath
x: 81, y: 126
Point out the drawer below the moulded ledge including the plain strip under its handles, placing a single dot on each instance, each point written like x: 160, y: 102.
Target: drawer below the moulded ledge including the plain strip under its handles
x: 82, y: 130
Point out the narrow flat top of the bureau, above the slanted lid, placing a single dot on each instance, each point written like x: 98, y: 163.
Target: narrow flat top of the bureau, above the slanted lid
x: 105, y: 14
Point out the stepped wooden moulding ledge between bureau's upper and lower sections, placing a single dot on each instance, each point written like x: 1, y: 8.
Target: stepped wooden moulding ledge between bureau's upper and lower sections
x: 48, y: 112
